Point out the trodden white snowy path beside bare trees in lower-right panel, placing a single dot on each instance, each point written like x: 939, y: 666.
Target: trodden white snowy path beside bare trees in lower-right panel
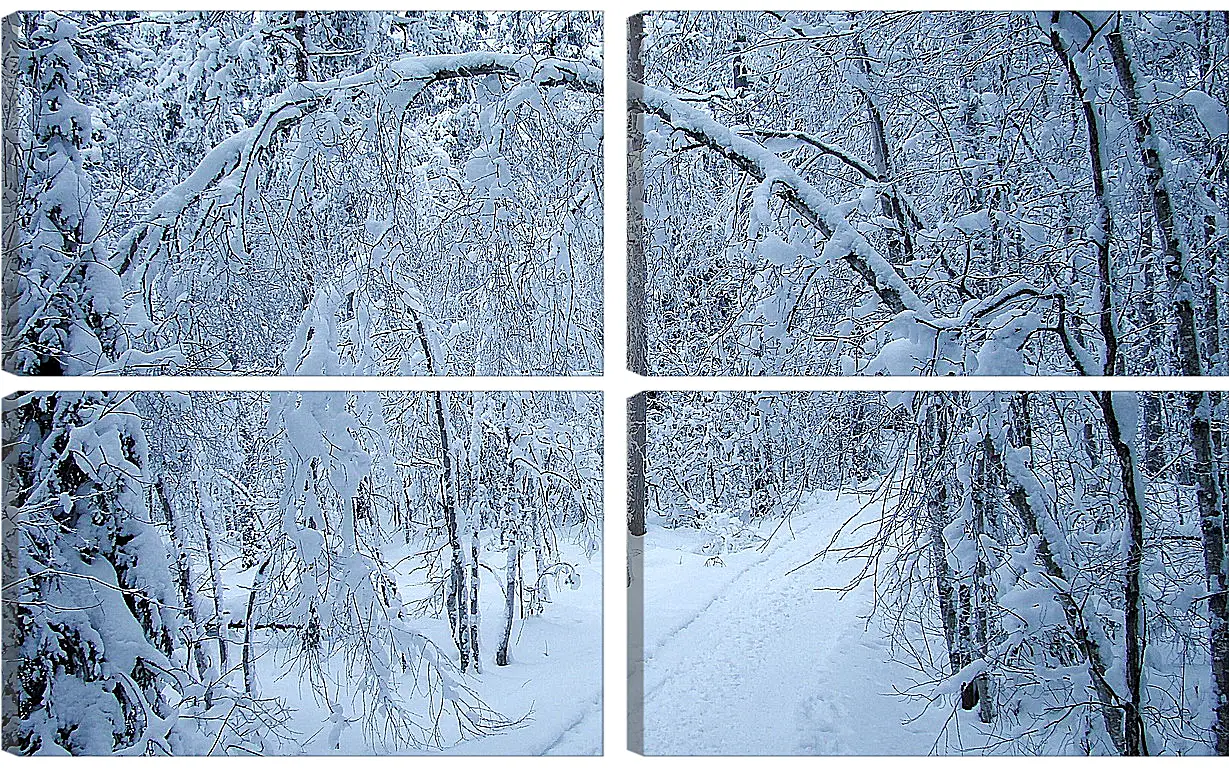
x: 750, y: 662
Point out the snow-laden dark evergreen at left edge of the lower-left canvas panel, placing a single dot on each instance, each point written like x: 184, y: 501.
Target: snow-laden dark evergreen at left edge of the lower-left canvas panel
x: 90, y: 610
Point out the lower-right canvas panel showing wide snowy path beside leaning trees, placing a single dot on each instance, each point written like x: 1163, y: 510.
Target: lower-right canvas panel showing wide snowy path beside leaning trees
x: 930, y: 573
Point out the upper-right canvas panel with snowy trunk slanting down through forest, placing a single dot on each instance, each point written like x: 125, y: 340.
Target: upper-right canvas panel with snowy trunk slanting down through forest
x: 995, y: 194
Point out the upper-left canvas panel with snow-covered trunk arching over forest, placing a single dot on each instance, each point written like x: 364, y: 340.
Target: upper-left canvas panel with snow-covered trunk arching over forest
x: 303, y: 192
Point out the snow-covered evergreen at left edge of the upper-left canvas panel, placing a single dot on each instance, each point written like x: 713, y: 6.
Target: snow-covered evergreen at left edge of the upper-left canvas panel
x: 63, y: 302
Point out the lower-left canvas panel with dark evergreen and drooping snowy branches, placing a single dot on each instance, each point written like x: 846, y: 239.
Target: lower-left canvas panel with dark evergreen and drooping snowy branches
x: 253, y: 573
